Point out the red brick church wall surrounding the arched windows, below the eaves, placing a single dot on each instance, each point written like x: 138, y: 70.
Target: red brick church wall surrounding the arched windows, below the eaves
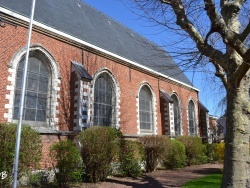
x: 129, y: 80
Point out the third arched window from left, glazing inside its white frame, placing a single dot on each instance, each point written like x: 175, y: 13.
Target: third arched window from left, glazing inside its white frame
x: 145, y: 109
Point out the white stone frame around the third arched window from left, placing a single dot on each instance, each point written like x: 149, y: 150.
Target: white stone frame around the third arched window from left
x: 153, y: 130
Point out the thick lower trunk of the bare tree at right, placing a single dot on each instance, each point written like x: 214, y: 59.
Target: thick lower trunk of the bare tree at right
x: 236, y: 172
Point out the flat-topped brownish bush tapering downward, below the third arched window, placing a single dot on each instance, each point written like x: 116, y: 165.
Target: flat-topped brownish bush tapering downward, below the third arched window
x: 155, y: 149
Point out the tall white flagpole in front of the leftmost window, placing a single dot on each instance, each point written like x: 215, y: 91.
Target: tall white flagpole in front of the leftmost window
x: 18, y: 133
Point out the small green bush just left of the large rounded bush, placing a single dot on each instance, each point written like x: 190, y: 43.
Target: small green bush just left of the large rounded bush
x: 67, y: 159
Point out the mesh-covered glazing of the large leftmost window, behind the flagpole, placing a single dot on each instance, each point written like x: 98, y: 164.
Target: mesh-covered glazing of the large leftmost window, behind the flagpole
x: 36, y: 91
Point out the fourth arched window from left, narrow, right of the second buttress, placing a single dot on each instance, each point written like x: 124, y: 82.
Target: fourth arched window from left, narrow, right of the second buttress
x: 176, y: 109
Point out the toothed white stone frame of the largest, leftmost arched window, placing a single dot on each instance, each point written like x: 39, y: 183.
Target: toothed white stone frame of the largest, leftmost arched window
x: 52, y: 119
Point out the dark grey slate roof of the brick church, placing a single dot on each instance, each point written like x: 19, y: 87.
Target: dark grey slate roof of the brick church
x: 90, y: 25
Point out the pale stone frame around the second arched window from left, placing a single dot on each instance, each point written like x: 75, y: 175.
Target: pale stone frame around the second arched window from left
x: 117, y: 95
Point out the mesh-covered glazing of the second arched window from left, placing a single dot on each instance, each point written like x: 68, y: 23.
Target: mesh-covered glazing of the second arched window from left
x: 104, y: 101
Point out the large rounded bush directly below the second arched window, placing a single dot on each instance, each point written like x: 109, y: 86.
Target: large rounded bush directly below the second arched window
x: 100, y: 147
